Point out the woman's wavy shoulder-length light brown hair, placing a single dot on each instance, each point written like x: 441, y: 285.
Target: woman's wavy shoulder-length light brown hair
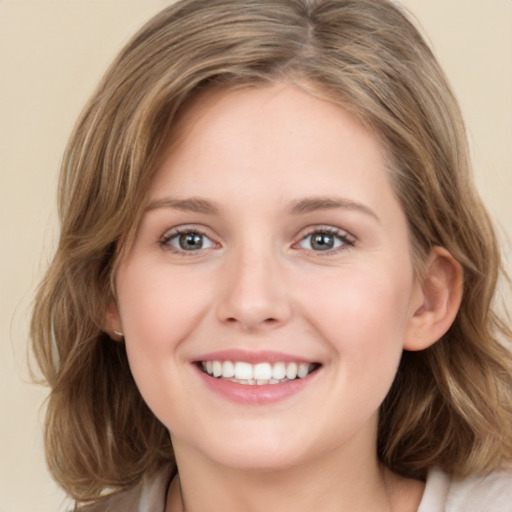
x: 450, y: 405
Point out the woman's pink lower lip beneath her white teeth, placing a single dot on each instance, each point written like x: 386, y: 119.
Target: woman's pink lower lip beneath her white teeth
x: 255, y: 394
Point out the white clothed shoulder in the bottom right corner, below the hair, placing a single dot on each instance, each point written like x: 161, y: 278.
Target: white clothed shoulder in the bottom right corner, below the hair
x: 477, y: 493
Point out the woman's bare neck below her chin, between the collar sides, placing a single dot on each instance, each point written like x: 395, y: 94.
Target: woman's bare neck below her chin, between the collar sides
x: 325, y: 483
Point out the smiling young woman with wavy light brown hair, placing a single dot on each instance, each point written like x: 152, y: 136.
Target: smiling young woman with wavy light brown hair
x: 274, y: 281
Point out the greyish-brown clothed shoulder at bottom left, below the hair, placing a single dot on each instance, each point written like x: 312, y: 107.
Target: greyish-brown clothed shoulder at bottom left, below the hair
x: 147, y: 496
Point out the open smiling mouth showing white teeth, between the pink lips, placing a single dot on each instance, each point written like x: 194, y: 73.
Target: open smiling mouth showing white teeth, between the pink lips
x: 259, y: 374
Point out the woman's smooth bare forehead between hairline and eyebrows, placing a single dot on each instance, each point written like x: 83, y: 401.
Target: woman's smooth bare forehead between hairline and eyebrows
x: 274, y: 127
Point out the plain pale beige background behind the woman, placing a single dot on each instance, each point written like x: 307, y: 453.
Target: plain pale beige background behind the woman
x: 51, y: 55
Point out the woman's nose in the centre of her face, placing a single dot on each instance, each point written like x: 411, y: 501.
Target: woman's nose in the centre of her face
x: 254, y: 294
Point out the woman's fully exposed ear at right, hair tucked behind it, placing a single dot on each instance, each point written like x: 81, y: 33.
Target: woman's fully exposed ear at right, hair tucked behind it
x: 439, y: 295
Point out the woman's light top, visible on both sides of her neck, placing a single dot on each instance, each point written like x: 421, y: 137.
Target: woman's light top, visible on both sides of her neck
x: 492, y: 493
